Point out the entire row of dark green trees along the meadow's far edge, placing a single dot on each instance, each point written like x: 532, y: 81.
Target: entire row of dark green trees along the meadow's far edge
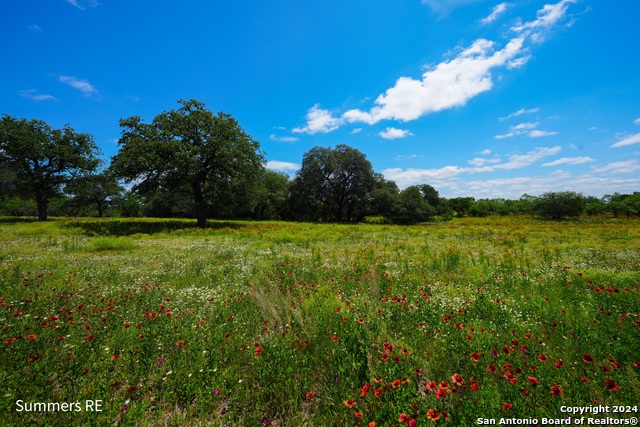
x: 190, y: 162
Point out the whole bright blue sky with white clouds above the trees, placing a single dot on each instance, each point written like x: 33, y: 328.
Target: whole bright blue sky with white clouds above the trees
x: 478, y: 98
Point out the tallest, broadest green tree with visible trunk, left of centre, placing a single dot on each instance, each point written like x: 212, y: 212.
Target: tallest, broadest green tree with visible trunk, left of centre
x: 191, y: 151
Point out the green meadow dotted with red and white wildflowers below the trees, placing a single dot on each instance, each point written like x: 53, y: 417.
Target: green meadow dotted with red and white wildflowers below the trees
x: 287, y: 324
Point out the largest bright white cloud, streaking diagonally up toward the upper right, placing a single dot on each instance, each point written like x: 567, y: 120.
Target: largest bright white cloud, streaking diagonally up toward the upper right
x: 449, y: 84
